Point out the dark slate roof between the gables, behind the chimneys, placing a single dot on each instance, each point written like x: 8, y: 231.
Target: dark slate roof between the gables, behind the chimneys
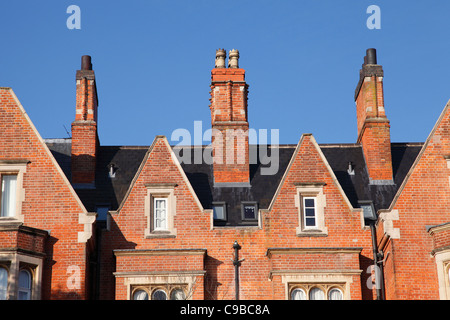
x: 127, y: 159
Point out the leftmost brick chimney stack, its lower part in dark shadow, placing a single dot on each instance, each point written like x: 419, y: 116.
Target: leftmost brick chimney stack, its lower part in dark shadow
x: 84, y: 128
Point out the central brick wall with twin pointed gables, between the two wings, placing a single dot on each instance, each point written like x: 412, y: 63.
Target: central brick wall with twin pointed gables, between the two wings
x: 193, y: 230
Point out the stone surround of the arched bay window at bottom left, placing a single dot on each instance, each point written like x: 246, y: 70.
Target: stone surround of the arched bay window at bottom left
x: 14, y: 262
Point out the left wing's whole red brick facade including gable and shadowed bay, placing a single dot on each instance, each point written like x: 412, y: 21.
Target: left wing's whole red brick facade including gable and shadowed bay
x: 48, y: 204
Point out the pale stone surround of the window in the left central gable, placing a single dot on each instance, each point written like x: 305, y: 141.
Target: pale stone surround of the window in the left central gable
x: 160, y: 190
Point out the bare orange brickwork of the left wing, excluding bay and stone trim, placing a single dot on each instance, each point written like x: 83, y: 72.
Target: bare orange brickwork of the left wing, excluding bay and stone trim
x: 49, y: 202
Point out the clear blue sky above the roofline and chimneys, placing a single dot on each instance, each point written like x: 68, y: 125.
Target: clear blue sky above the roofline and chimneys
x: 153, y: 60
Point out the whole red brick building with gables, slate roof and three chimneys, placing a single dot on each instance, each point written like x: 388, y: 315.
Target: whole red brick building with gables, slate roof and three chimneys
x: 308, y: 221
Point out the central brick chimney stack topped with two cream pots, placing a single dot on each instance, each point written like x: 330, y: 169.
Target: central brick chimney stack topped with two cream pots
x: 229, y: 121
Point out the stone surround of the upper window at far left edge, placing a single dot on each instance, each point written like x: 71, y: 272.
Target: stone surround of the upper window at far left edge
x: 18, y: 167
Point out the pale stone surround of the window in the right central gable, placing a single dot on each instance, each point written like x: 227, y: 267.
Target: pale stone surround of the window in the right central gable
x: 312, y: 189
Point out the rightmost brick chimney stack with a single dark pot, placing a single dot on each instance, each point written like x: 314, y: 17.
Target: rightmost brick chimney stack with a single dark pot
x: 373, y: 125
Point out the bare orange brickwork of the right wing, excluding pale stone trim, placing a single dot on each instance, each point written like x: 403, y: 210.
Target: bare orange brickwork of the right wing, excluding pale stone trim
x: 423, y: 201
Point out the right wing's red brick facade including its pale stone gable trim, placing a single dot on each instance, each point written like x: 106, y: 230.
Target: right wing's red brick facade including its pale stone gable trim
x: 411, y: 237
